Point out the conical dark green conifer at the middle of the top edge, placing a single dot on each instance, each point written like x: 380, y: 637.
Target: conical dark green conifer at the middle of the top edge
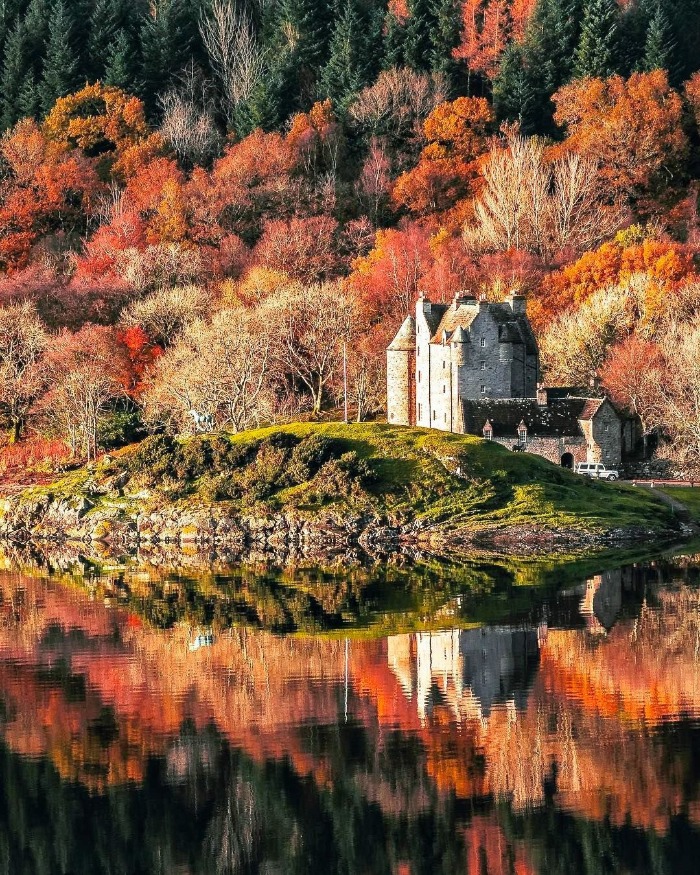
x: 345, y: 73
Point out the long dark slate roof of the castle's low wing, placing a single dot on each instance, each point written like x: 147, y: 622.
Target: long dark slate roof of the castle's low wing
x: 560, y: 418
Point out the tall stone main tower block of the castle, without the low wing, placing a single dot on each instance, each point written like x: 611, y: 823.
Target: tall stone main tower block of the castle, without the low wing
x: 465, y: 351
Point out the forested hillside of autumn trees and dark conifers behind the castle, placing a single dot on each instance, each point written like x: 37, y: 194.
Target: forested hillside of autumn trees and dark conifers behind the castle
x: 204, y: 205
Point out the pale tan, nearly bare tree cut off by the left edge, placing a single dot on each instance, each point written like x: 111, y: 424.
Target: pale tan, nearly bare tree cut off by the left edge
x: 23, y: 341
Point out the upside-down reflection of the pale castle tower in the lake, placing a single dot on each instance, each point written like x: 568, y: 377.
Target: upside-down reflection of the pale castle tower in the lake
x: 470, y: 670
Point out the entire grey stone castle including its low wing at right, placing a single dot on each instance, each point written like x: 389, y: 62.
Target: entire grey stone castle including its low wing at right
x: 472, y: 367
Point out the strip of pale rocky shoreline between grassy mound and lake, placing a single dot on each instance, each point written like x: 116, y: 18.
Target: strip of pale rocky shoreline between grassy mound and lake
x: 48, y: 519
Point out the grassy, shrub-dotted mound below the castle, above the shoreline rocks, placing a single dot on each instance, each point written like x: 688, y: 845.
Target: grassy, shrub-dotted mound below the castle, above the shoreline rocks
x: 437, y: 480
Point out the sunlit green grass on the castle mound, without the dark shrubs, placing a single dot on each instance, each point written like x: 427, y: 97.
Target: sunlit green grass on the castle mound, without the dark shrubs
x: 416, y: 479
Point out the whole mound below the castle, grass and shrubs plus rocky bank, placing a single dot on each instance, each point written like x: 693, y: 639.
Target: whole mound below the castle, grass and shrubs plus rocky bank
x: 306, y: 481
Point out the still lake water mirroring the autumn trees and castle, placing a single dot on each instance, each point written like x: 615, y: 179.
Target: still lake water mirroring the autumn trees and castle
x: 249, y: 720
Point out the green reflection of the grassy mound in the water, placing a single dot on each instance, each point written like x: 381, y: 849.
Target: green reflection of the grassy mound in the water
x: 354, y: 600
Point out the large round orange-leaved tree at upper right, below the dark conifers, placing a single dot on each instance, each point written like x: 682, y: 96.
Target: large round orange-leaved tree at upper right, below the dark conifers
x: 632, y: 127
